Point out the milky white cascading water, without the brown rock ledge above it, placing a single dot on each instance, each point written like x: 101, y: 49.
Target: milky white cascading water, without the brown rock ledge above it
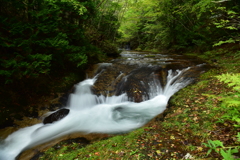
x: 90, y: 113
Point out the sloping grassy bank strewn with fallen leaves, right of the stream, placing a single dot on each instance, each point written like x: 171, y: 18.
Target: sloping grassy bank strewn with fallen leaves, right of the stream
x: 201, y: 122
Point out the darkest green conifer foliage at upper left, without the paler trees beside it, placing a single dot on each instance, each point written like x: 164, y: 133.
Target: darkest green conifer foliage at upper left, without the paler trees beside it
x: 43, y: 35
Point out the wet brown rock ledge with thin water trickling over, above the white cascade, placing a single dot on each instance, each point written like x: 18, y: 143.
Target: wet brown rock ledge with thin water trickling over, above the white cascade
x: 132, y: 74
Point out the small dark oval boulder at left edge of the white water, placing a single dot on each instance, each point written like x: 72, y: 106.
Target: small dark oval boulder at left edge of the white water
x: 56, y: 116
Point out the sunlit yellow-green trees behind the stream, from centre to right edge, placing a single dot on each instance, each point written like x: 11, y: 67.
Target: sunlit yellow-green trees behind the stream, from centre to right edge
x: 180, y: 25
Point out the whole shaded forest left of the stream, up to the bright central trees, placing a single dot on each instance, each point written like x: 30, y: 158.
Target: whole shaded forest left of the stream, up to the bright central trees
x: 49, y: 43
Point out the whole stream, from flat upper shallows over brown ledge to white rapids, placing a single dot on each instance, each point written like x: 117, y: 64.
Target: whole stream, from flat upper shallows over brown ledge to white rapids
x: 121, y: 96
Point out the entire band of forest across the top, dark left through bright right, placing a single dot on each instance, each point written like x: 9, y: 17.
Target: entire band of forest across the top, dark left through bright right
x: 39, y: 37
